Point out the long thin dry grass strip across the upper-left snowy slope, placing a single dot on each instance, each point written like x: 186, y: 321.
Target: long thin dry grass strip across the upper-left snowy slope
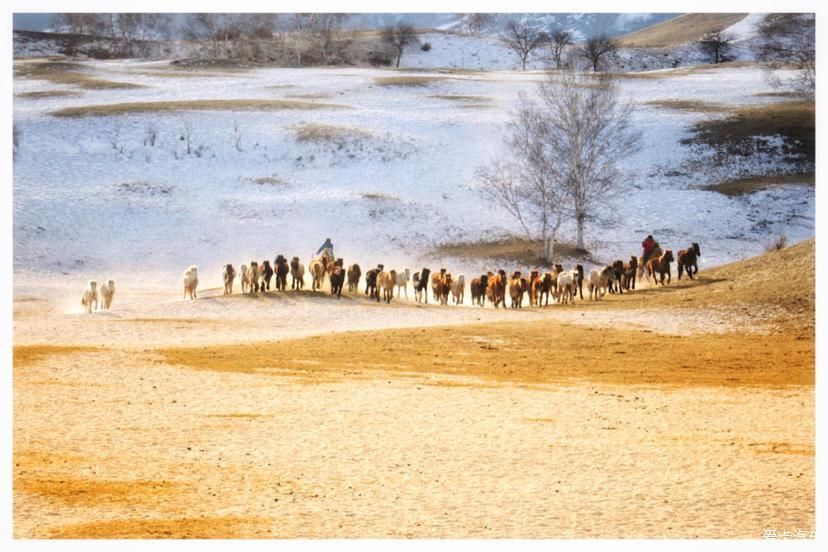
x: 189, y: 105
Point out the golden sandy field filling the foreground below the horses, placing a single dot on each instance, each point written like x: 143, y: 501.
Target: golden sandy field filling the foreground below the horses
x: 678, y: 412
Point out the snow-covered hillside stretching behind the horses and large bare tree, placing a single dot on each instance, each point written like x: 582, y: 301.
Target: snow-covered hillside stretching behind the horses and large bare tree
x: 383, y: 162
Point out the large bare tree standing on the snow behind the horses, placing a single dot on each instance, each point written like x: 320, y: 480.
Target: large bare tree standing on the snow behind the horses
x: 563, y: 156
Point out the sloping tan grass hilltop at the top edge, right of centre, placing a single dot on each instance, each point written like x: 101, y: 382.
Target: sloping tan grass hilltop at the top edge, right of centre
x: 679, y: 30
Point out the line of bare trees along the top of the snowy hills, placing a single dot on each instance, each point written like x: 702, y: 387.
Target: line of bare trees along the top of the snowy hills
x: 782, y: 40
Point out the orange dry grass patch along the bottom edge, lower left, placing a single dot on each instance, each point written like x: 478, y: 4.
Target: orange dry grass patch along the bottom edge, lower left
x: 226, y: 527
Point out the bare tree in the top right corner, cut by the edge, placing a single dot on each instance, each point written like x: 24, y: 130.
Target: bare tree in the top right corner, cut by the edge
x: 788, y: 40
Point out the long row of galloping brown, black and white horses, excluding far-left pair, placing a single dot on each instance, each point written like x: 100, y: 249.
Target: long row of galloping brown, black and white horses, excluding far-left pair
x: 562, y: 285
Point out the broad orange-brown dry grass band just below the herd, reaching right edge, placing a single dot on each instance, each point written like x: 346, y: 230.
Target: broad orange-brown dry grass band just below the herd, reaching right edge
x: 521, y: 353
